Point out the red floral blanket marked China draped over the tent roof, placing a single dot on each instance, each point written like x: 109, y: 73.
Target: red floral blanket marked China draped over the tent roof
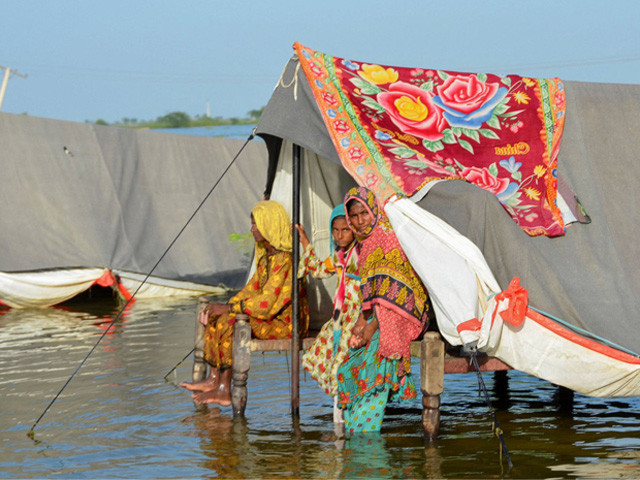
x: 396, y: 129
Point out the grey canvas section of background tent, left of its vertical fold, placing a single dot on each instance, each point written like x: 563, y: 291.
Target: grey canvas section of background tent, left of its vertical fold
x: 51, y: 194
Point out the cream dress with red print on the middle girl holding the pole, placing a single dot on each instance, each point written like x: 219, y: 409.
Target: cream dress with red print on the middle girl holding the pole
x: 330, y: 347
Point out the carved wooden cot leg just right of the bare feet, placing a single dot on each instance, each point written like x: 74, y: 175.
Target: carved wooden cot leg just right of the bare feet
x: 241, y: 363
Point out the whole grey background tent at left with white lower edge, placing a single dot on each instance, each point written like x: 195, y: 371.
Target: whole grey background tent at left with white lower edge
x: 79, y: 200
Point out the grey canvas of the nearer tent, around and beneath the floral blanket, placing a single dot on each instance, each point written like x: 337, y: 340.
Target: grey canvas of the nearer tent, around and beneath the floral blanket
x: 587, y: 281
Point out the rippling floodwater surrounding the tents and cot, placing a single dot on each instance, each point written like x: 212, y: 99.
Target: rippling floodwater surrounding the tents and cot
x: 119, y: 418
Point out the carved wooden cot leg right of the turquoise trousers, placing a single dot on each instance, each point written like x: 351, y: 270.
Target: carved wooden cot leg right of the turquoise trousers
x: 432, y: 382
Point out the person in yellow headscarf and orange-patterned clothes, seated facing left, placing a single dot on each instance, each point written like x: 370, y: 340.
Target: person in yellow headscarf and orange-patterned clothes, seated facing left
x: 266, y: 299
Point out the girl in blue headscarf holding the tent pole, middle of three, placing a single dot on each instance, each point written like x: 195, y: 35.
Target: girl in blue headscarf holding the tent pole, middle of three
x: 330, y: 347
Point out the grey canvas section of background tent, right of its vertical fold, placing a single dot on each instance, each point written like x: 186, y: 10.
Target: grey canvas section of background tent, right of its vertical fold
x: 167, y: 184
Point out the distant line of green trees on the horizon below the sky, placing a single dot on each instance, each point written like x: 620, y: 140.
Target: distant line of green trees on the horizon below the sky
x: 182, y: 119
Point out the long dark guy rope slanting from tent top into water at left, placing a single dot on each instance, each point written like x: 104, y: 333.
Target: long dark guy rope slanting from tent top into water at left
x: 30, y: 433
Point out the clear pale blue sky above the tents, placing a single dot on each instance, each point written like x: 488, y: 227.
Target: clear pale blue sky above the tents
x: 111, y: 59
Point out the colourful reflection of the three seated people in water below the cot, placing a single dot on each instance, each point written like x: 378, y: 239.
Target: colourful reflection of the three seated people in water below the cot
x: 231, y: 448
